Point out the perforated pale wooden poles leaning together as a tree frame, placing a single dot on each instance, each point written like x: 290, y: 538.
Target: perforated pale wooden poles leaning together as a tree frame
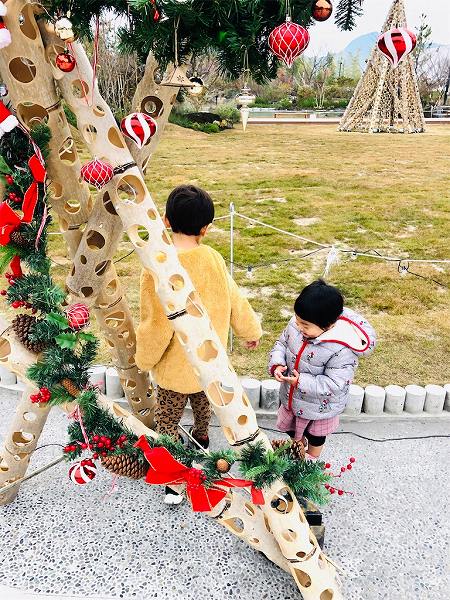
x: 92, y: 230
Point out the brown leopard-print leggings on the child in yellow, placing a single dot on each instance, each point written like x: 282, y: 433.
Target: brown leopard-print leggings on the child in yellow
x: 170, y: 407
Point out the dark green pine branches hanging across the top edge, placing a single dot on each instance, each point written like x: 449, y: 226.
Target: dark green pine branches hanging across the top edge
x: 220, y: 27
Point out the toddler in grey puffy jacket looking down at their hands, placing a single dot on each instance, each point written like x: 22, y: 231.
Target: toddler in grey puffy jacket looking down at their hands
x: 315, y: 360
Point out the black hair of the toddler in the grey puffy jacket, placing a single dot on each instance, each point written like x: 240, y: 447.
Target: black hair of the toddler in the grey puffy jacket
x: 319, y: 303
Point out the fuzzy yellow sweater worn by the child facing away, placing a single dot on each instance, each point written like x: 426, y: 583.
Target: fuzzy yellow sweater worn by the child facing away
x: 159, y: 351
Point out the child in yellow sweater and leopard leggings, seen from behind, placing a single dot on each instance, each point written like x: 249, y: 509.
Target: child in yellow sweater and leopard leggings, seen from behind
x: 189, y: 212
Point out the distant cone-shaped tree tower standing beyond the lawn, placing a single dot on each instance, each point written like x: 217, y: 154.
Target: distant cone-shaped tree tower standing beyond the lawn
x: 386, y: 99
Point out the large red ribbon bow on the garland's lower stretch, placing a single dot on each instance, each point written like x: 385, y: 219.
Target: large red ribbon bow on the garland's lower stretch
x: 164, y: 469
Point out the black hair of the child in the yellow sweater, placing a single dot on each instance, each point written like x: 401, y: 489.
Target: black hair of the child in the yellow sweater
x: 189, y: 209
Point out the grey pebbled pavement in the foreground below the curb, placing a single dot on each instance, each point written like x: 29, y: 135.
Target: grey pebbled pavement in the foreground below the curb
x: 72, y: 542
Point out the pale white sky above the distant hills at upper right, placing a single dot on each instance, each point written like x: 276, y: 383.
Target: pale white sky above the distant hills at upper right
x: 327, y: 37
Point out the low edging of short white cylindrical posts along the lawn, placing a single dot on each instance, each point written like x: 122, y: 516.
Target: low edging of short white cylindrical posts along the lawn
x: 364, y: 403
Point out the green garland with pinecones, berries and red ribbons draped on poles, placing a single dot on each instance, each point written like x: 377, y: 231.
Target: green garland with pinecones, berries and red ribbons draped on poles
x: 65, y: 351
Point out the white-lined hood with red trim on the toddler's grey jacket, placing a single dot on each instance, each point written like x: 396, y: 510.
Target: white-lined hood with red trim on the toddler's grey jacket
x: 348, y: 332
